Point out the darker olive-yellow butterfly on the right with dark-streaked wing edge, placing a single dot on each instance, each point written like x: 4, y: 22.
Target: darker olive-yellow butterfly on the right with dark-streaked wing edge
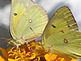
x: 61, y: 35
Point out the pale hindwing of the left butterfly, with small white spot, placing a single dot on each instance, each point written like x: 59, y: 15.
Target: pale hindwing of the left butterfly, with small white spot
x: 34, y: 24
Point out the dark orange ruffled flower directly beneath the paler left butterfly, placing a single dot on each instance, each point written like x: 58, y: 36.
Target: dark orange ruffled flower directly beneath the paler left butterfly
x: 24, y: 52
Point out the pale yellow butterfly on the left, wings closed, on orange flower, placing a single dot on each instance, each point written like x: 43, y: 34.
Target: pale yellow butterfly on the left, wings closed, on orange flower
x: 28, y: 21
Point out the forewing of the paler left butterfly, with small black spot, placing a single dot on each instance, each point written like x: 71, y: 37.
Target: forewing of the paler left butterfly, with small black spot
x: 18, y: 9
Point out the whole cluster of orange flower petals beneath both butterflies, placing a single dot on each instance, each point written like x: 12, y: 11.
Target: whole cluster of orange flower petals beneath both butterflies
x: 32, y: 51
